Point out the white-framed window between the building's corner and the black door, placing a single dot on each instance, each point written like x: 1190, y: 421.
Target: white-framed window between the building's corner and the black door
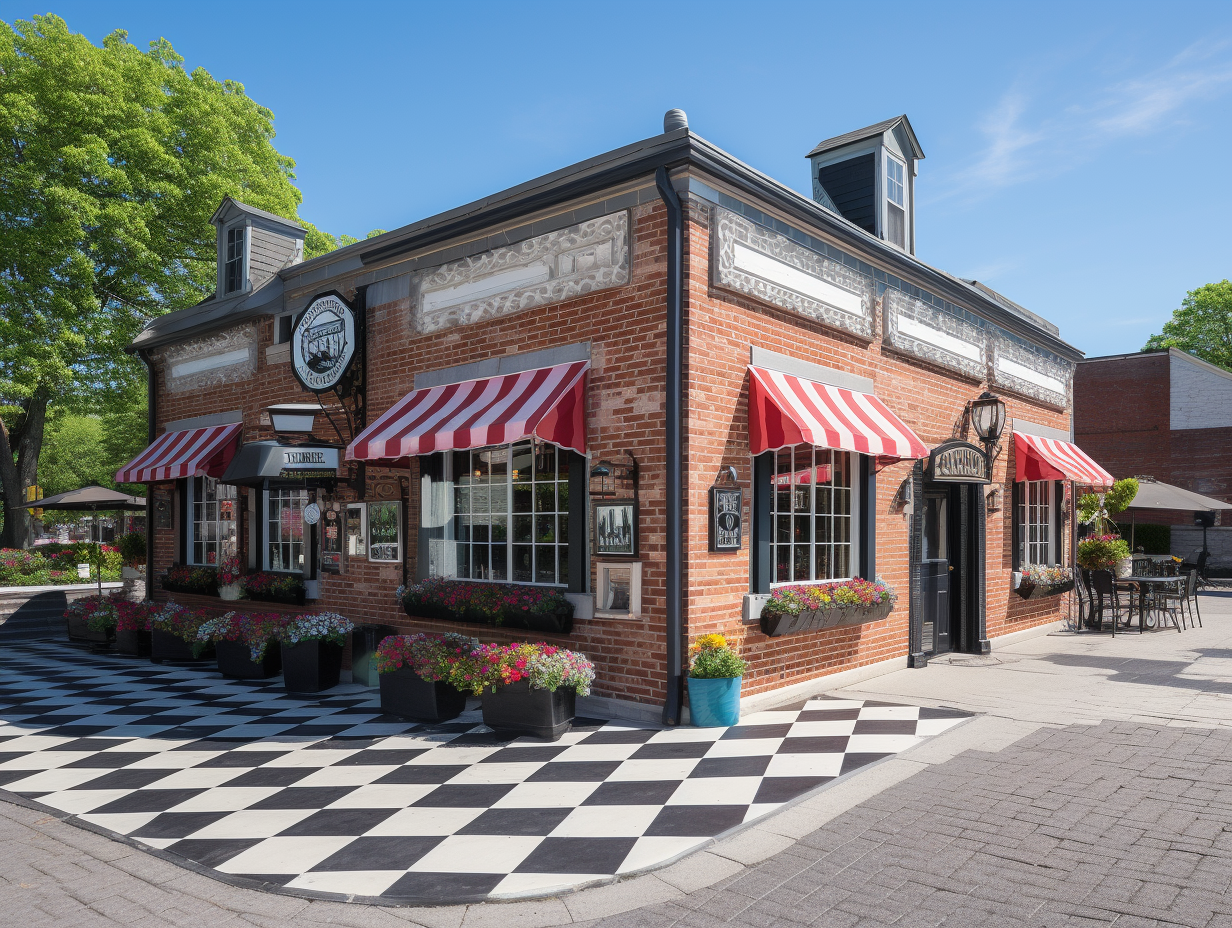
x: 814, y: 501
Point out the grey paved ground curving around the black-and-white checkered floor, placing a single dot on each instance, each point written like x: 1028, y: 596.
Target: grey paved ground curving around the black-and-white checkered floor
x: 1096, y: 791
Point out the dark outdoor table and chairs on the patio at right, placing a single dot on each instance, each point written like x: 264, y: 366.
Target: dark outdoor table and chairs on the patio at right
x: 1160, y: 591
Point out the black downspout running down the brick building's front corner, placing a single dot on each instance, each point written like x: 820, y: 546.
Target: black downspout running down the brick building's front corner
x: 672, y: 706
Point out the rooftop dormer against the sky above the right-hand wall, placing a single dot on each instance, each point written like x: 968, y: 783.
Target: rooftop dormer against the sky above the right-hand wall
x: 869, y: 177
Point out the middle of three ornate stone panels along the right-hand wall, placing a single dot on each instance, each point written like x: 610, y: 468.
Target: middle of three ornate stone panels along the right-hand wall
x: 916, y: 328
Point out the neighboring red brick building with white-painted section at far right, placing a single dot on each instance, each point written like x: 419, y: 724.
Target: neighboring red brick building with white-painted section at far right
x: 1164, y: 415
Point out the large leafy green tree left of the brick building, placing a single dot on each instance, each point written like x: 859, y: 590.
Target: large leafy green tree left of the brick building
x: 111, y: 165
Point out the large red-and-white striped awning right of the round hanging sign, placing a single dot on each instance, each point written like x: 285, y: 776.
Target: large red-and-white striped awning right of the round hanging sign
x: 548, y: 402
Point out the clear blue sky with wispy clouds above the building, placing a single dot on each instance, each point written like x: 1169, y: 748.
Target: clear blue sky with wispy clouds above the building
x: 1077, y: 153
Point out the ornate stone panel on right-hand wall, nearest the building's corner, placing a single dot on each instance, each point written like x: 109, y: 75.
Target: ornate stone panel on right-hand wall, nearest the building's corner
x: 751, y: 259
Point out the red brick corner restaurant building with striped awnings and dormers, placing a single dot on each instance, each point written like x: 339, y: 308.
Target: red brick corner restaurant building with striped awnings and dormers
x: 634, y: 307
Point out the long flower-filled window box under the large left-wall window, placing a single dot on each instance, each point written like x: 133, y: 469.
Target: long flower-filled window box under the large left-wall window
x: 500, y: 604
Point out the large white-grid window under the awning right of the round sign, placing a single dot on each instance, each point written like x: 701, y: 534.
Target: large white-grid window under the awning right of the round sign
x: 505, y: 516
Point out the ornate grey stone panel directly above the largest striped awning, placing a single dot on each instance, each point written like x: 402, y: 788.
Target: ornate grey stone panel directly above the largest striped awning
x: 546, y: 269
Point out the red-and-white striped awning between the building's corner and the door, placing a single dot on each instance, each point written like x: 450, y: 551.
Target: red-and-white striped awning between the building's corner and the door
x: 785, y: 410
